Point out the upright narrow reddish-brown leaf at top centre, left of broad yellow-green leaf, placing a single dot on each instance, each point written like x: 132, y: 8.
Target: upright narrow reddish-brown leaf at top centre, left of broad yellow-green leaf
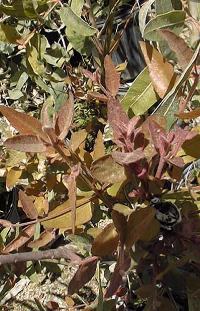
x: 112, y: 77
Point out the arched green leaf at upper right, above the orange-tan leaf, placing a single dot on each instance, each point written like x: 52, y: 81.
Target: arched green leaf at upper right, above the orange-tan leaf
x: 172, y: 20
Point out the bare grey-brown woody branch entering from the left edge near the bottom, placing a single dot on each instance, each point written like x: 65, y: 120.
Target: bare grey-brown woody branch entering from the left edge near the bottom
x: 57, y: 253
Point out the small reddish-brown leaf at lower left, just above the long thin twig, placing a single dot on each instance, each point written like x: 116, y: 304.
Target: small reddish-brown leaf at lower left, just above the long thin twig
x: 27, y: 205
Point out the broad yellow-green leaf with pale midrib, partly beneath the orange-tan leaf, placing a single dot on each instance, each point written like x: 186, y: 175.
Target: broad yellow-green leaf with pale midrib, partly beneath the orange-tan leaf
x: 141, y: 95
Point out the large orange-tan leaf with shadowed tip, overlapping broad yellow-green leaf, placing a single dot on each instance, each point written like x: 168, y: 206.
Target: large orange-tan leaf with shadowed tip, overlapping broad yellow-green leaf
x: 161, y: 72
